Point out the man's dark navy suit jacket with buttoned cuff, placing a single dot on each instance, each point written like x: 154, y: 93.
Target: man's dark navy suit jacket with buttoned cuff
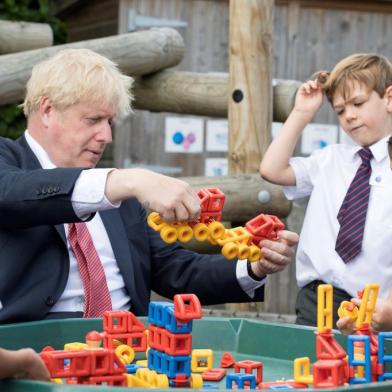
x: 34, y: 261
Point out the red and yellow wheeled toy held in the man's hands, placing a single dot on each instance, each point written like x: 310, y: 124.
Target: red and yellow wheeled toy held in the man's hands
x: 239, y: 242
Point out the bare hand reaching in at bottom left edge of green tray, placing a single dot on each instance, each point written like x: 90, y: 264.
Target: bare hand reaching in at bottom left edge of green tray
x: 22, y: 364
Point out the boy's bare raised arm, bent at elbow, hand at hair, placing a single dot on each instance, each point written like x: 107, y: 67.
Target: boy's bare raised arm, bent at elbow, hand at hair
x: 275, y: 164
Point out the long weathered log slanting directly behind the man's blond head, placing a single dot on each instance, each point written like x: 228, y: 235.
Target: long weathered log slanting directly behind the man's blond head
x: 136, y: 53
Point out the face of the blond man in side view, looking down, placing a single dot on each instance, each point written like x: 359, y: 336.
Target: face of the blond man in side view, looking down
x: 78, y: 135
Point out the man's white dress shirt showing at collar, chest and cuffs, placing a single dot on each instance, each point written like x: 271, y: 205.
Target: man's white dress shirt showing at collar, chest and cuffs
x: 88, y: 197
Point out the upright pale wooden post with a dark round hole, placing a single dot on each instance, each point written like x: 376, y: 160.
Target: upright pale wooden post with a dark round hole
x: 250, y: 83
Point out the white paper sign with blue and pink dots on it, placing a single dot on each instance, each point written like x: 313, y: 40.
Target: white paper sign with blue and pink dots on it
x: 184, y: 134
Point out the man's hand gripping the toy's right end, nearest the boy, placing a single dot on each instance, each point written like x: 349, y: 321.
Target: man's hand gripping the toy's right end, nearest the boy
x: 276, y: 254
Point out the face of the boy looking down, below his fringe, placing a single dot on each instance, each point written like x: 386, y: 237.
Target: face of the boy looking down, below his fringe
x: 363, y: 115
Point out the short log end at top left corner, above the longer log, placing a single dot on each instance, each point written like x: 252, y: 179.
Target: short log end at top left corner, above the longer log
x: 20, y: 36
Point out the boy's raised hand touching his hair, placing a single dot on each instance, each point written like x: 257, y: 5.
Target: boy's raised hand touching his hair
x: 309, y: 99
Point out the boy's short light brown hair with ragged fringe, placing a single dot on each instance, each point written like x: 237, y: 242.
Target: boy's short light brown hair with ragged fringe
x: 372, y: 70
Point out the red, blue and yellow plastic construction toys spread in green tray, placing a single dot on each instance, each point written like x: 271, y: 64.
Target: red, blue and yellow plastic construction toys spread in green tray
x: 169, y: 361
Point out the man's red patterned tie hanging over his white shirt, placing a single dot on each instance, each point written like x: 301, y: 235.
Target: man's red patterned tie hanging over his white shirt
x: 96, y: 292
